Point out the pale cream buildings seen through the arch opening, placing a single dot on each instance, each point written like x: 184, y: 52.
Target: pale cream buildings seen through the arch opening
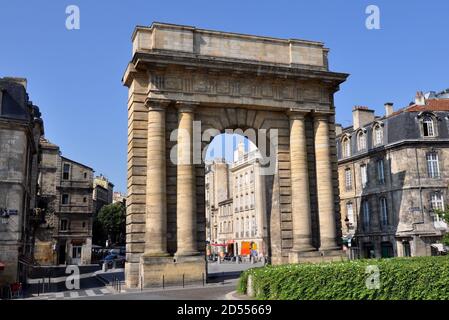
x: 235, y: 205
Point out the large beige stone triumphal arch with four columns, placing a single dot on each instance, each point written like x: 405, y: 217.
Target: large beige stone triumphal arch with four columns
x: 184, y: 81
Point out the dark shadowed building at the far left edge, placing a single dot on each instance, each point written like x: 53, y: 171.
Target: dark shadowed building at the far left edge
x: 21, y: 127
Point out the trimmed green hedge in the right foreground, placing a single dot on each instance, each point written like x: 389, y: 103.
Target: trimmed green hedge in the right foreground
x: 399, y: 279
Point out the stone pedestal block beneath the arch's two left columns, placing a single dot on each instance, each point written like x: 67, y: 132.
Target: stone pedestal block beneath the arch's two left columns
x: 165, y: 271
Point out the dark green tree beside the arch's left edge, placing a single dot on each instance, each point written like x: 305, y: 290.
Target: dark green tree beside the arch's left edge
x: 111, y: 222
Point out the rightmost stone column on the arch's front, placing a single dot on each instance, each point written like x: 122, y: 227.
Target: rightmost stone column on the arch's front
x: 325, y: 188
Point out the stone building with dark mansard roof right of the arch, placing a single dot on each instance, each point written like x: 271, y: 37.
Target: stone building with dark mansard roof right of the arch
x: 393, y: 175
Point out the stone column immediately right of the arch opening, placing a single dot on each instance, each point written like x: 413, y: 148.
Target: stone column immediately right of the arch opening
x: 301, y: 213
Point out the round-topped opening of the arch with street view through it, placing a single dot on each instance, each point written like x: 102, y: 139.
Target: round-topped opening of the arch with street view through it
x: 235, y: 203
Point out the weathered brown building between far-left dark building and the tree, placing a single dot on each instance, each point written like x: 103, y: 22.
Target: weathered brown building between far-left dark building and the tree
x: 65, y: 189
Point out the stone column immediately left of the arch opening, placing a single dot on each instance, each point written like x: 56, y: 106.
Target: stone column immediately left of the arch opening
x: 186, y: 182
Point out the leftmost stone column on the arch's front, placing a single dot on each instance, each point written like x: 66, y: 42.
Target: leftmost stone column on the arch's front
x: 156, y: 205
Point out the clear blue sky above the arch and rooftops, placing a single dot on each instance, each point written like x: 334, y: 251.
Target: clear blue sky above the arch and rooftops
x: 74, y: 76
